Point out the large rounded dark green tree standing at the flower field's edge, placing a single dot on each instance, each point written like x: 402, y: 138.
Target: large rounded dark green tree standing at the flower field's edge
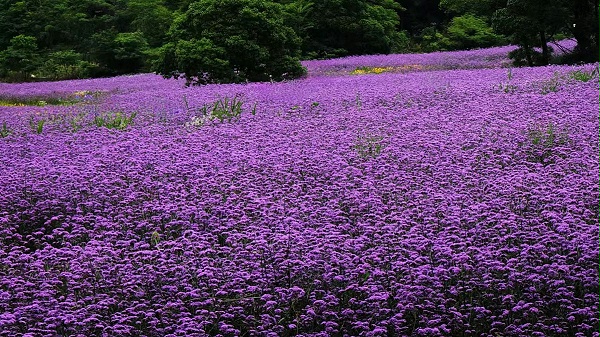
x: 231, y: 41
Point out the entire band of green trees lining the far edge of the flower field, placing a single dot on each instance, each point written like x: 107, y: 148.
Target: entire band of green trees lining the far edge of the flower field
x: 223, y: 41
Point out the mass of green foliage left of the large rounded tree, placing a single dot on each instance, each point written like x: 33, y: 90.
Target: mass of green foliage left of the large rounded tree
x: 107, y: 37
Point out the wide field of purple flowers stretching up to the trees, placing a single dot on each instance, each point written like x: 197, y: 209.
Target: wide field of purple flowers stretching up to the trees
x: 460, y: 202
